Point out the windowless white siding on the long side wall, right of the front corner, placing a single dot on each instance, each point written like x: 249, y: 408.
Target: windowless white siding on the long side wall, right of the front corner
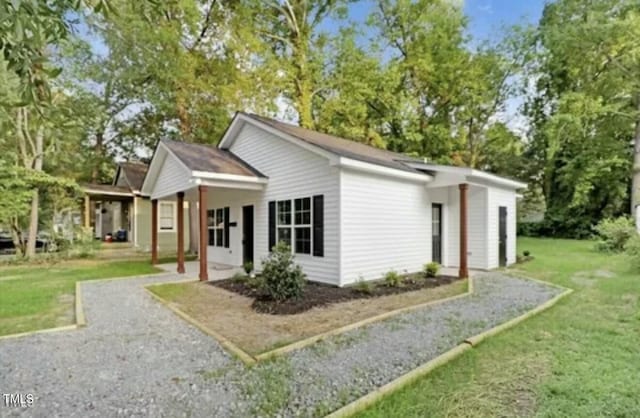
x: 386, y: 226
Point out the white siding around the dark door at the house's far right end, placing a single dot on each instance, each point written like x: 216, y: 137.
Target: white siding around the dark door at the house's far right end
x: 501, y: 197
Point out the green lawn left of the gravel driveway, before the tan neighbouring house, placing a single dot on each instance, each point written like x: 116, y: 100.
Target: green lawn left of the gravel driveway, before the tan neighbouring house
x: 39, y: 297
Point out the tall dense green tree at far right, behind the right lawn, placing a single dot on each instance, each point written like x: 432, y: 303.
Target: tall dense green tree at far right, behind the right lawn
x: 584, y: 113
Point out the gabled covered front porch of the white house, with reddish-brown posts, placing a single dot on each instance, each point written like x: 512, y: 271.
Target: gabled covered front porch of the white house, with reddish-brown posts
x: 221, y: 190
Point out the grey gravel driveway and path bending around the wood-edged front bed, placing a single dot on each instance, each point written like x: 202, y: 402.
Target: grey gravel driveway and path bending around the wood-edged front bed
x: 136, y: 358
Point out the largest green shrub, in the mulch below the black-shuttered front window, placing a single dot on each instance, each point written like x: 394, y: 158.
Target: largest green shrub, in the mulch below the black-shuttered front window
x: 282, y: 278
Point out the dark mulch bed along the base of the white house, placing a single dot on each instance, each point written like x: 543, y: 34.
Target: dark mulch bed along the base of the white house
x: 318, y: 294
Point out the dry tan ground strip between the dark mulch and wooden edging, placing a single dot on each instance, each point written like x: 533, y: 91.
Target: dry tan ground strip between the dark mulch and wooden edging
x: 231, y: 314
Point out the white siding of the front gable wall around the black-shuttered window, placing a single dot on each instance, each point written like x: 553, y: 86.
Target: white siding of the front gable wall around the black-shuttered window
x: 293, y: 172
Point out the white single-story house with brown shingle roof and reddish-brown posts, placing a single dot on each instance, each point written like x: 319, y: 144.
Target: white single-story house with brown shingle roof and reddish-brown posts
x: 349, y: 211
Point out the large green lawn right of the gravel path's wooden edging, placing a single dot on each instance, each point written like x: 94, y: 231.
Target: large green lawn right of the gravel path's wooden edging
x: 579, y: 359
